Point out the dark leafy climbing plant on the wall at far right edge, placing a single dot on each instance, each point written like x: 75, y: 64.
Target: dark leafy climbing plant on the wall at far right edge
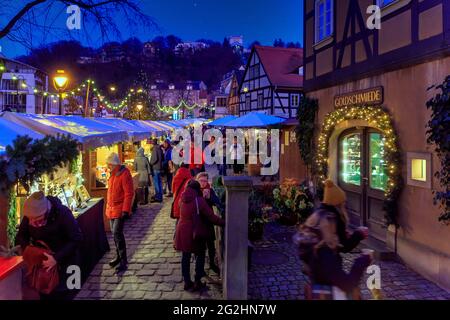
x: 439, y: 135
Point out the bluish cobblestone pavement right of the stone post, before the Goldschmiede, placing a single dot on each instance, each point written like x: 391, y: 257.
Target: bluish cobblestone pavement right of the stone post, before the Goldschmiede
x: 282, y: 278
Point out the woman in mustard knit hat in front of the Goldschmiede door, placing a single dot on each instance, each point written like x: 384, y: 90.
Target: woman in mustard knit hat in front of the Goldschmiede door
x: 325, y: 264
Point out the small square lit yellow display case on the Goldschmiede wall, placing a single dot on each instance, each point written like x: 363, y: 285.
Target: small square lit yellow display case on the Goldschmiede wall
x: 419, y: 169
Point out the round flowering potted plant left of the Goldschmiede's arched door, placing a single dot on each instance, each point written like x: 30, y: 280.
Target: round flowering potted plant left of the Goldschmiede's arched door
x: 292, y: 202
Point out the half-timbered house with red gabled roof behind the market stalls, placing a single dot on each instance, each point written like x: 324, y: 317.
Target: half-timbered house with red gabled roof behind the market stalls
x: 272, y: 82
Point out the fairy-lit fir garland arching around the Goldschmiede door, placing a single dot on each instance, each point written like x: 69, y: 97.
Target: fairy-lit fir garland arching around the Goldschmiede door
x: 377, y: 117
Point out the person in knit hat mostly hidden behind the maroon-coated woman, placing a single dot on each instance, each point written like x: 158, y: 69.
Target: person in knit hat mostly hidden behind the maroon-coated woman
x: 213, y: 201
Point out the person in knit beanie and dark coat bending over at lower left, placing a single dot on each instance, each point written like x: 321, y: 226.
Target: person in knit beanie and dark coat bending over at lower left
x: 47, y: 219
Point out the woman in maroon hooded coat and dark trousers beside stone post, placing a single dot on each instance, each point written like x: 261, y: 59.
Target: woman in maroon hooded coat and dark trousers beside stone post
x: 192, y: 203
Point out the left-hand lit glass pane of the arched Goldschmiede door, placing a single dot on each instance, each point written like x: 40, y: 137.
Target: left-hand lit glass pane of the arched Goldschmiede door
x: 351, y: 159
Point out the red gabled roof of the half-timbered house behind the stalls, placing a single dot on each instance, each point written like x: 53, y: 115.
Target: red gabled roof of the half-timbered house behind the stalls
x: 282, y: 65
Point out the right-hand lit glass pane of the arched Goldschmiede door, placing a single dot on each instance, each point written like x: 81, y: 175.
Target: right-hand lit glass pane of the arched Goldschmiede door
x: 378, y: 166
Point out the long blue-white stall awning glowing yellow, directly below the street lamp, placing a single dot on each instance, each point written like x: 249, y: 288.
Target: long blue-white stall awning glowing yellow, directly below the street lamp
x: 88, y: 132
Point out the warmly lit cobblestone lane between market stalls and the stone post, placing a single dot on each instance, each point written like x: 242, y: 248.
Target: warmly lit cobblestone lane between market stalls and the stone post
x: 154, y: 270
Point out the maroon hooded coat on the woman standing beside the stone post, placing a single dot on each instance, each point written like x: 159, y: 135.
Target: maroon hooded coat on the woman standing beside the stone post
x: 184, y: 237
